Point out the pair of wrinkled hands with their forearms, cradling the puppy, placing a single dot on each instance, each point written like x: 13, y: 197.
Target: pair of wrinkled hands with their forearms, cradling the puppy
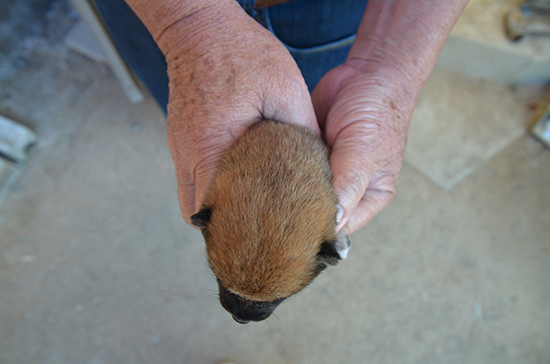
x: 226, y: 72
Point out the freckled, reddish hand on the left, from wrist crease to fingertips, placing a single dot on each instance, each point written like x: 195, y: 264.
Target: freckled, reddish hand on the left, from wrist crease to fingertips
x: 226, y: 72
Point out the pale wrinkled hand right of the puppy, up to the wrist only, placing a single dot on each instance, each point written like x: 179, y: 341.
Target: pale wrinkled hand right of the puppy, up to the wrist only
x: 365, y: 114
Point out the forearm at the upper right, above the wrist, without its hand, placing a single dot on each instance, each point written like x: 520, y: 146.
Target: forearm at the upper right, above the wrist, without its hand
x: 404, y: 36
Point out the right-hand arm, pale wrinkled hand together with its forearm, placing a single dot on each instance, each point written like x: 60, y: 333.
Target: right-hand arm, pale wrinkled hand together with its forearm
x: 365, y: 105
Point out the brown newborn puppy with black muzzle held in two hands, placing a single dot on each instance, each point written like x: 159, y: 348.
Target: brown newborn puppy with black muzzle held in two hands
x: 269, y: 219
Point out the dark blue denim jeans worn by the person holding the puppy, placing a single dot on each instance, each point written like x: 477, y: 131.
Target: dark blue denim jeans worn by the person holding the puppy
x: 318, y: 34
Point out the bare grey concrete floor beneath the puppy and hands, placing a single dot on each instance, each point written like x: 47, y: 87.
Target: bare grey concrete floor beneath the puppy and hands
x: 97, y: 266
